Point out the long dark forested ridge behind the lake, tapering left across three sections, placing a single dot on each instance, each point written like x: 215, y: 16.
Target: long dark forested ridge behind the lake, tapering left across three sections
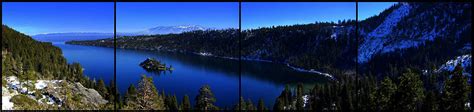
x: 324, y: 47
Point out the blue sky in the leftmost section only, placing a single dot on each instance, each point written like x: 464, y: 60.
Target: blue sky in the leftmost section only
x: 36, y: 18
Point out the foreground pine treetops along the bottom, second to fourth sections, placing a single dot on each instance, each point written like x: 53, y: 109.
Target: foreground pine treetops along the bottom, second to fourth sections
x: 409, y: 91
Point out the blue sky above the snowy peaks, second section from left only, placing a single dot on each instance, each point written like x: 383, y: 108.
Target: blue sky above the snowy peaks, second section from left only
x: 132, y: 16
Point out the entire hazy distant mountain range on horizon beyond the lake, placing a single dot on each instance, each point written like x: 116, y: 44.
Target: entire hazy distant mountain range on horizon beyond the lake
x: 62, y: 37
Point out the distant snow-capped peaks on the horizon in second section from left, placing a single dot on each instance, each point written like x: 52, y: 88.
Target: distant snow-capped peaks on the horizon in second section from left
x: 171, y: 29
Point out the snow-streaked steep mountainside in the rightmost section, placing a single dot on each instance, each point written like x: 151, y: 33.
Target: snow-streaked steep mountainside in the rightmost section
x: 408, y: 25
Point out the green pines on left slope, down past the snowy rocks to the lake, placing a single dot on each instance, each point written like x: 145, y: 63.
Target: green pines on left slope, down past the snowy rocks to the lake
x: 28, y: 59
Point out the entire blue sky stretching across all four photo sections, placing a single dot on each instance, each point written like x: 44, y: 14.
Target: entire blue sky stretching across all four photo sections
x: 37, y: 18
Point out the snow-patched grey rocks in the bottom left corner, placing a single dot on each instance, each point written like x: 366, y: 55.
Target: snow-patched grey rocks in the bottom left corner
x: 48, y: 90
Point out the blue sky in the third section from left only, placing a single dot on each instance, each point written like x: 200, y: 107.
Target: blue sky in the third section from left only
x: 266, y: 14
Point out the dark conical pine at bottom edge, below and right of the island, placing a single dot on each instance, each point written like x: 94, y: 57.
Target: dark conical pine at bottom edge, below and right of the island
x: 205, y: 99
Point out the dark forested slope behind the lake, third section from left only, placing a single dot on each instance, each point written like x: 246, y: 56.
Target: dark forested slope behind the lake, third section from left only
x: 325, y: 47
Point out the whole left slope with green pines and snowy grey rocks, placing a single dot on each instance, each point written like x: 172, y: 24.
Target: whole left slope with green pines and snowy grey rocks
x: 36, y: 76
